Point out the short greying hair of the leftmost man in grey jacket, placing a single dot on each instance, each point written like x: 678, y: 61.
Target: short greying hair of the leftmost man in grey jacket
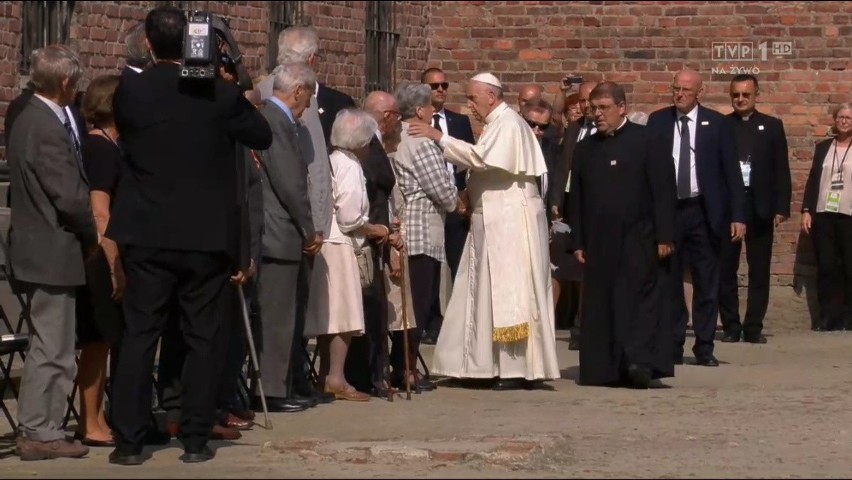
x: 53, y: 64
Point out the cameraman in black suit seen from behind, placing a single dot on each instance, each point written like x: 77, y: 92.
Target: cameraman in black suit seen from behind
x: 174, y: 220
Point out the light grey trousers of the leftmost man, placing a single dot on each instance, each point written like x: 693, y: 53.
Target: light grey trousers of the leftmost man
x: 50, y: 366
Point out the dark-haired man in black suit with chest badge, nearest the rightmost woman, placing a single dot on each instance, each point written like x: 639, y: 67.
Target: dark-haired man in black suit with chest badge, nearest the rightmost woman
x: 763, y: 156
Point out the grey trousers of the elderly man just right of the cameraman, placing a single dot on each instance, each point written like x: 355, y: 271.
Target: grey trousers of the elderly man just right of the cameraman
x: 278, y: 289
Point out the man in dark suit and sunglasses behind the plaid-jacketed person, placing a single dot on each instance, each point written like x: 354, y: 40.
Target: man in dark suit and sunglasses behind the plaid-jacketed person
x: 456, y: 226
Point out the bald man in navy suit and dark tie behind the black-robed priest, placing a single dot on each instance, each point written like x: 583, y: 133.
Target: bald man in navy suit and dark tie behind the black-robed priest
x: 709, y: 211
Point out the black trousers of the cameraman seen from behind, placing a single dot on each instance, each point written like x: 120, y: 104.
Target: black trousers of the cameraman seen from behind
x: 155, y: 277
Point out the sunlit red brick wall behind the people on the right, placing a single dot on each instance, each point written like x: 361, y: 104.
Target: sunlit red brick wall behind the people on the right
x: 643, y: 43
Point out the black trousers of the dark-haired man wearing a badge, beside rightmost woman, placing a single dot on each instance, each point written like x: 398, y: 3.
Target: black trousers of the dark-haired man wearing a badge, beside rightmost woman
x: 758, y: 240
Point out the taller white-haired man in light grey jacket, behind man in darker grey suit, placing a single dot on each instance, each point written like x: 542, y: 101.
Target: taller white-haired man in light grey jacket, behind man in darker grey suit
x: 300, y: 45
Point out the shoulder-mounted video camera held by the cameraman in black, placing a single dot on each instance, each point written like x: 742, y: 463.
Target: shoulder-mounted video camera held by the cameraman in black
x: 205, y: 38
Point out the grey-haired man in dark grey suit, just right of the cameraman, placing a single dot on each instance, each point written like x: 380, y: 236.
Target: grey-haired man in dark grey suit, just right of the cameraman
x: 289, y: 233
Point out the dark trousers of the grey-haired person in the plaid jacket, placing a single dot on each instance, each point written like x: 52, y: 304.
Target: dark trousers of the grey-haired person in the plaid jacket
x: 422, y: 272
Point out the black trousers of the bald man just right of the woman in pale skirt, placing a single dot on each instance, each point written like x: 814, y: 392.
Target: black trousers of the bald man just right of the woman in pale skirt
x: 367, y: 358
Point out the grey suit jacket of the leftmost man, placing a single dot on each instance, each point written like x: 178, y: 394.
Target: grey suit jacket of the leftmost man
x: 52, y: 222
